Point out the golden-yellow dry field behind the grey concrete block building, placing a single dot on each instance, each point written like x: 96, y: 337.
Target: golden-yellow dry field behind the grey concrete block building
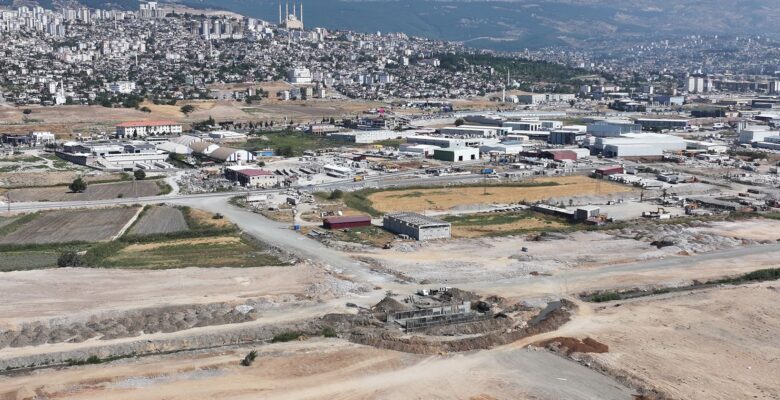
x: 446, y: 198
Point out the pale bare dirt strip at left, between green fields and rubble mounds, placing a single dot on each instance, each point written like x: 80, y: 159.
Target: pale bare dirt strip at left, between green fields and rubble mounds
x: 41, y: 294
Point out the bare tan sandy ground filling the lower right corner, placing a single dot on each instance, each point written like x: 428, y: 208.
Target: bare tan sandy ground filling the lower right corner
x: 714, y: 344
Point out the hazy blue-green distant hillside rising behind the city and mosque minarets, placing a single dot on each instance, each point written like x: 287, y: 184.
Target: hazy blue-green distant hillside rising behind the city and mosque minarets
x: 517, y: 24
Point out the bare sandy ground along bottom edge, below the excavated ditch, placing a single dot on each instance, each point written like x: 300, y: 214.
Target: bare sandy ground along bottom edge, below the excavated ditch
x: 327, y: 369
